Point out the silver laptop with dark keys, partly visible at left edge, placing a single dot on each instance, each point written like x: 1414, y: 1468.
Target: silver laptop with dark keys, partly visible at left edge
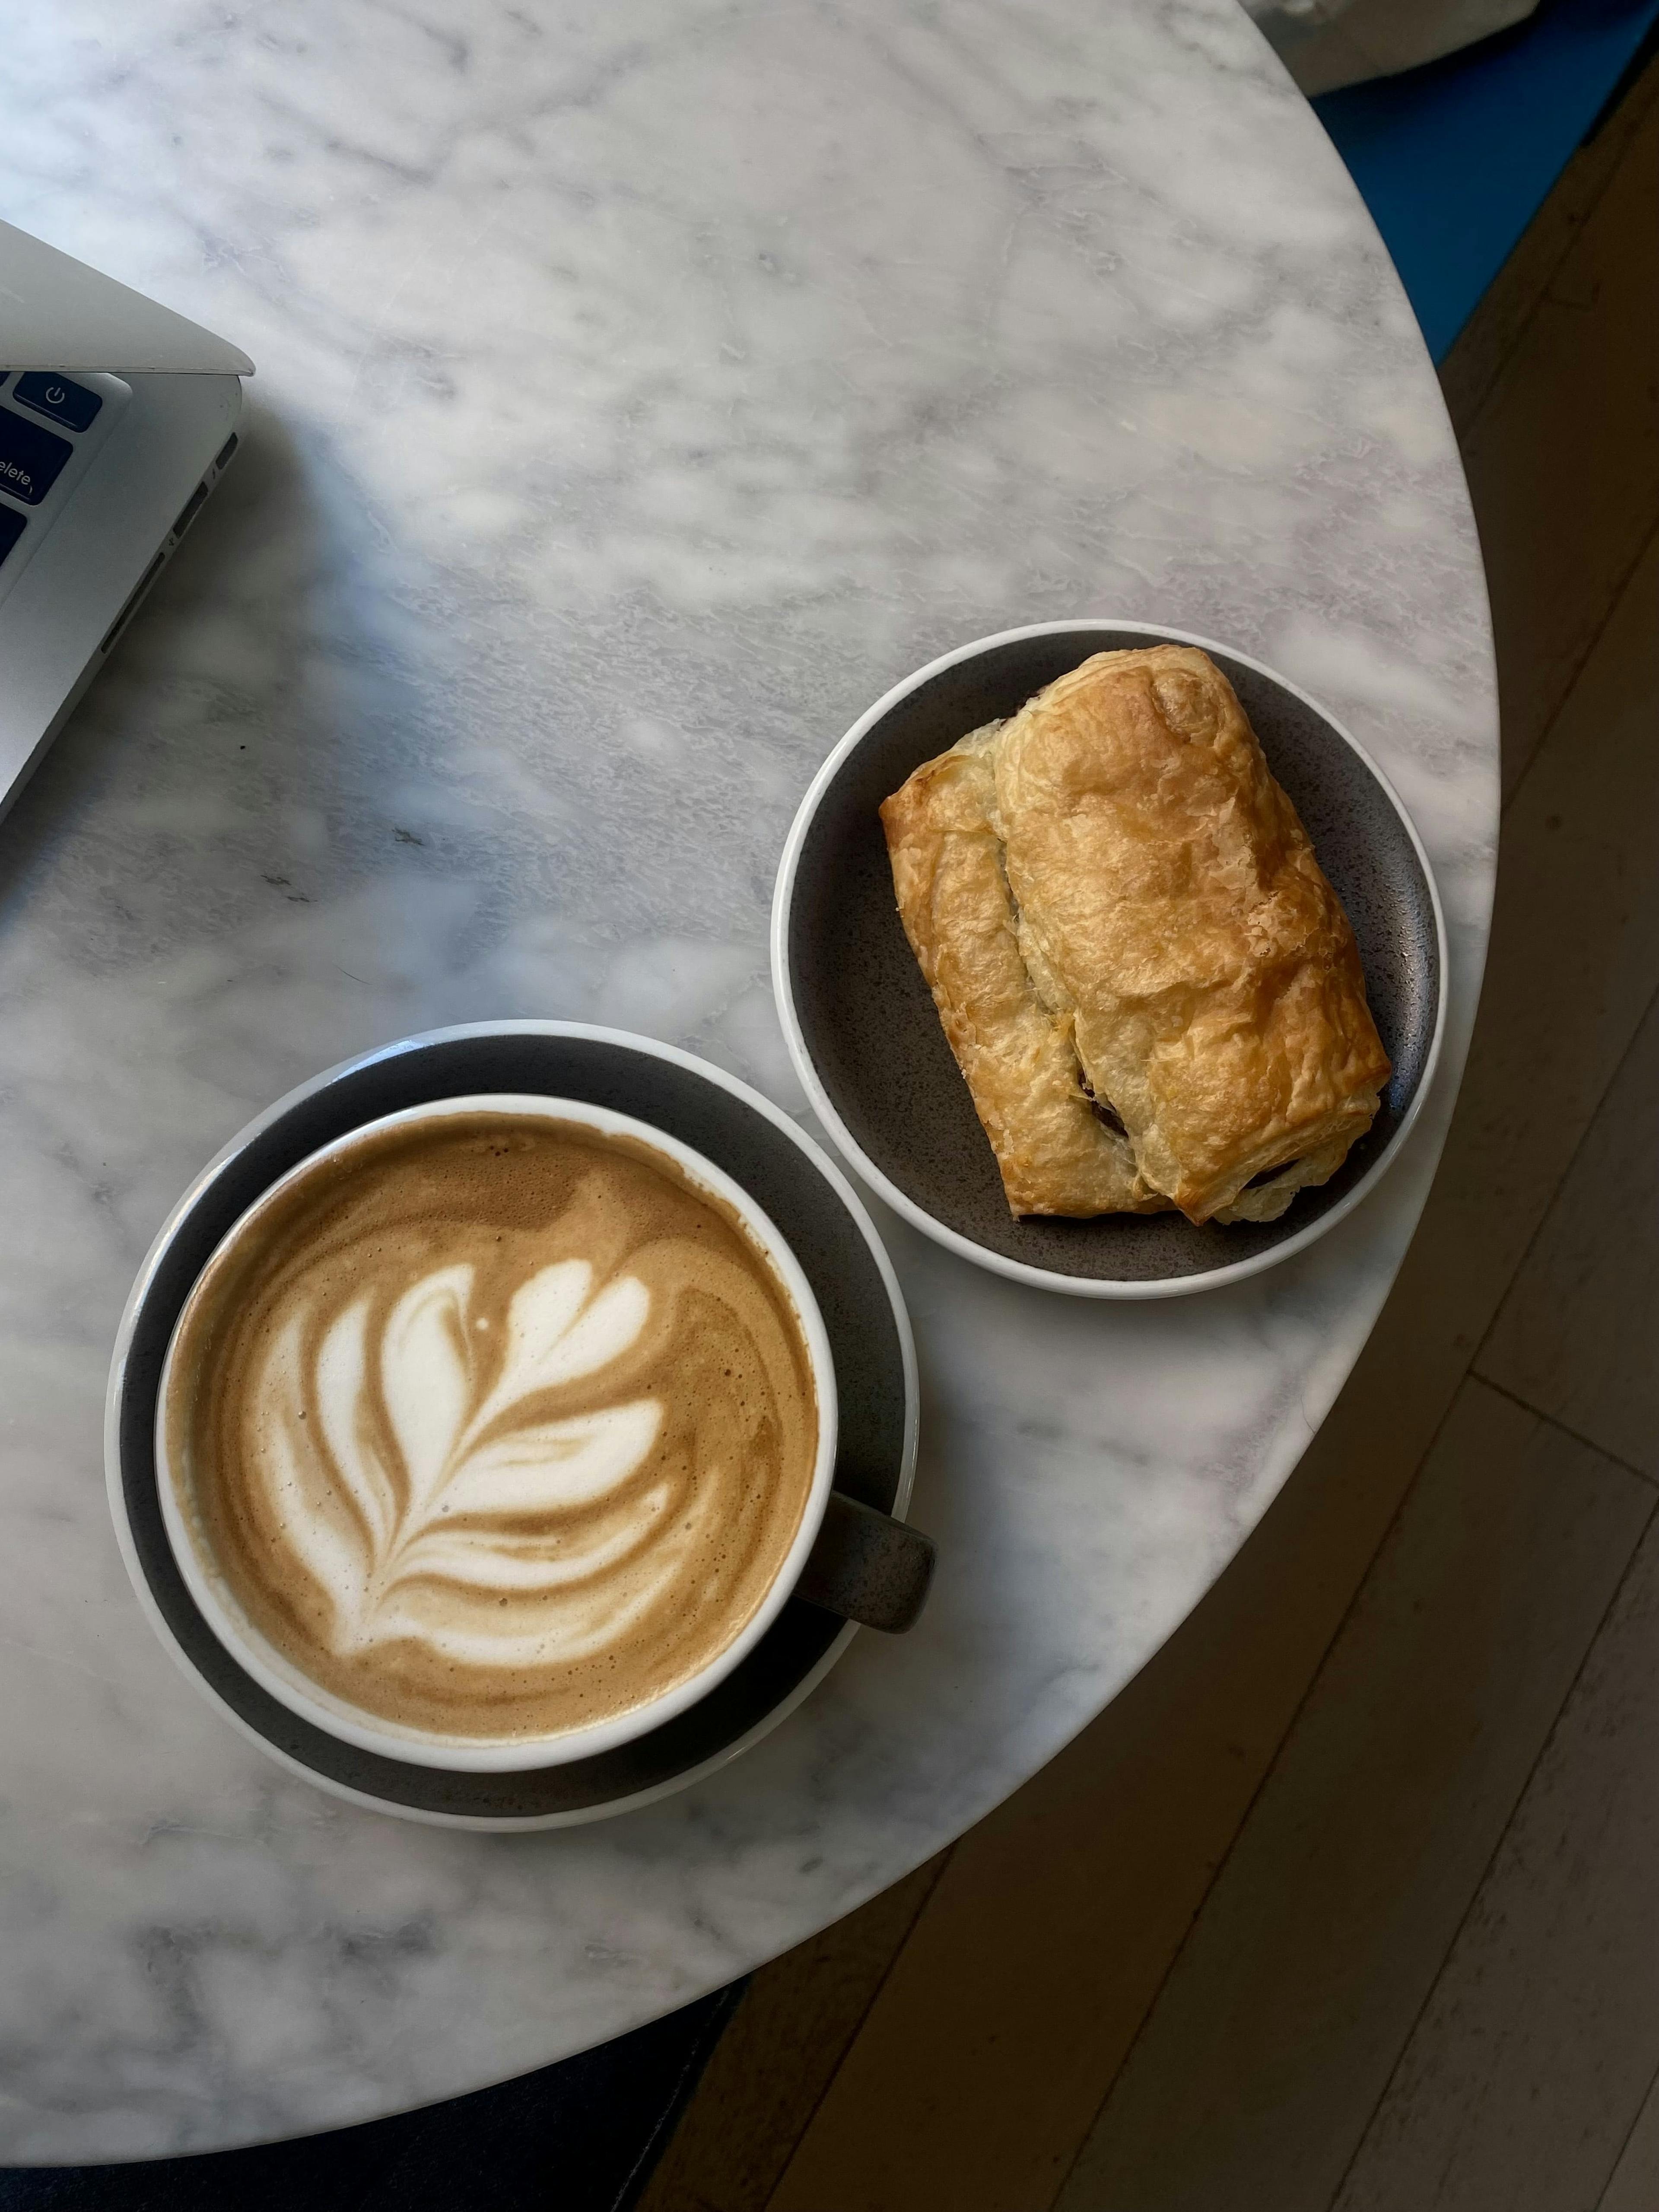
x: 116, y: 421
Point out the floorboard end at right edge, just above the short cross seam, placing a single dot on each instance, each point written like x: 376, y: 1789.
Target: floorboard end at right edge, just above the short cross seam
x: 1578, y: 1335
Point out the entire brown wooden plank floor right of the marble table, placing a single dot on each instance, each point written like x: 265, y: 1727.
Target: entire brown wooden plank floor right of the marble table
x: 1353, y: 1899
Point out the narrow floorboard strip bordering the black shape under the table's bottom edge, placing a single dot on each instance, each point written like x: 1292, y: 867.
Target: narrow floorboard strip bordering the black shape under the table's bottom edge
x: 778, y: 2056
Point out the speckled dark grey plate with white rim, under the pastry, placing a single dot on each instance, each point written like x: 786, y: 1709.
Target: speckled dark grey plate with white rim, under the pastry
x: 870, y: 1047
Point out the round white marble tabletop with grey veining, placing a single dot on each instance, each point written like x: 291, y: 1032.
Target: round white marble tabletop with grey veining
x: 643, y: 388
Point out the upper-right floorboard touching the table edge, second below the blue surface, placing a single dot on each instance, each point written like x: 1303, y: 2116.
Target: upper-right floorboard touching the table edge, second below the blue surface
x: 1565, y: 452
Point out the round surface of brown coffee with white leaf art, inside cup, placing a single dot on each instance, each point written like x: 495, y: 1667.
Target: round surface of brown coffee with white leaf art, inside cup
x: 492, y: 1426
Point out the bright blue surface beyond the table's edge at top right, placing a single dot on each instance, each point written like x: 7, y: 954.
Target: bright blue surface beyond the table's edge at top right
x: 1454, y: 160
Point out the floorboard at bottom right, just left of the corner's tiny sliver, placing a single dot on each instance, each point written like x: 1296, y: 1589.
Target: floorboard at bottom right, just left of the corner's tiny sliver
x: 1541, y: 2043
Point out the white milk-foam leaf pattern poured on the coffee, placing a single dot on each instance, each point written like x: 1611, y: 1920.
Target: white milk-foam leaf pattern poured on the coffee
x: 446, y: 1479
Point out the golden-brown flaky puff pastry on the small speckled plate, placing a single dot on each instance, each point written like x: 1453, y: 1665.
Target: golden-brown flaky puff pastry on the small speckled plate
x: 1147, y: 979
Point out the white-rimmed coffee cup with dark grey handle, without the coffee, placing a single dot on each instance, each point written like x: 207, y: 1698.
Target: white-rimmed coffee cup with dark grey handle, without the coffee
x: 842, y: 1556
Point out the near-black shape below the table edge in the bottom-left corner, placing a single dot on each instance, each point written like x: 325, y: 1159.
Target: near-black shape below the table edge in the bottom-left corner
x: 583, y: 2136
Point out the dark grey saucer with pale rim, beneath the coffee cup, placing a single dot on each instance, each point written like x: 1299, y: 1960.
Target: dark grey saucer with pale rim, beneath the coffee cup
x: 828, y: 1231
